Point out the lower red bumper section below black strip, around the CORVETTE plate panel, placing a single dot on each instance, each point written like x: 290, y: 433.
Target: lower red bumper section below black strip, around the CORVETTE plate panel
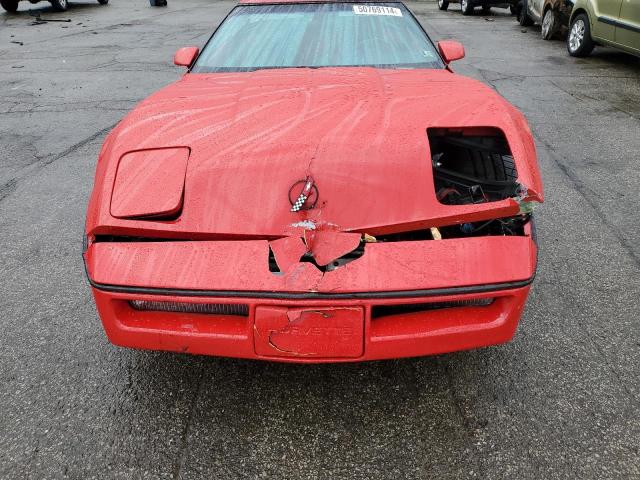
x: 428, y: 333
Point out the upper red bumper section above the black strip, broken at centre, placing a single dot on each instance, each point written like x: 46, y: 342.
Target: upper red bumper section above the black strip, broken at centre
x: 243, y: 266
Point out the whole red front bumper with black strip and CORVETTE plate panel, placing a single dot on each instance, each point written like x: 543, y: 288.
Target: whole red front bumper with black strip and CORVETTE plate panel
x: 399, y: 299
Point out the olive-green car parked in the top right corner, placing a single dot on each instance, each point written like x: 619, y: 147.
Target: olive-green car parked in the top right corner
x: 615, y: 23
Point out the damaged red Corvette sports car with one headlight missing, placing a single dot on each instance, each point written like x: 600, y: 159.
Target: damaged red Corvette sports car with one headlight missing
x: 319, y: 187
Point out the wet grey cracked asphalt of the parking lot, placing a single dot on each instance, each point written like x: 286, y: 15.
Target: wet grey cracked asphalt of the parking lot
x: 560, y: 401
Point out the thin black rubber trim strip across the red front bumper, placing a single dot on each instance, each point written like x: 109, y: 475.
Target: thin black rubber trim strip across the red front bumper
x: 433, y: 292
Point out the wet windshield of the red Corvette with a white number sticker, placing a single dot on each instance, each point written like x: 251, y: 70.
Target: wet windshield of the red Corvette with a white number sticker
x: 380, y: 35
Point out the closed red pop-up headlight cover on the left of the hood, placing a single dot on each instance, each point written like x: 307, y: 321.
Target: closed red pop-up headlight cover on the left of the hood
x: 150, y: 182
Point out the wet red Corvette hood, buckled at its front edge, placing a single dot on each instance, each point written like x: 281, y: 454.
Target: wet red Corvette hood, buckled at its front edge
x: 360, y: 133
